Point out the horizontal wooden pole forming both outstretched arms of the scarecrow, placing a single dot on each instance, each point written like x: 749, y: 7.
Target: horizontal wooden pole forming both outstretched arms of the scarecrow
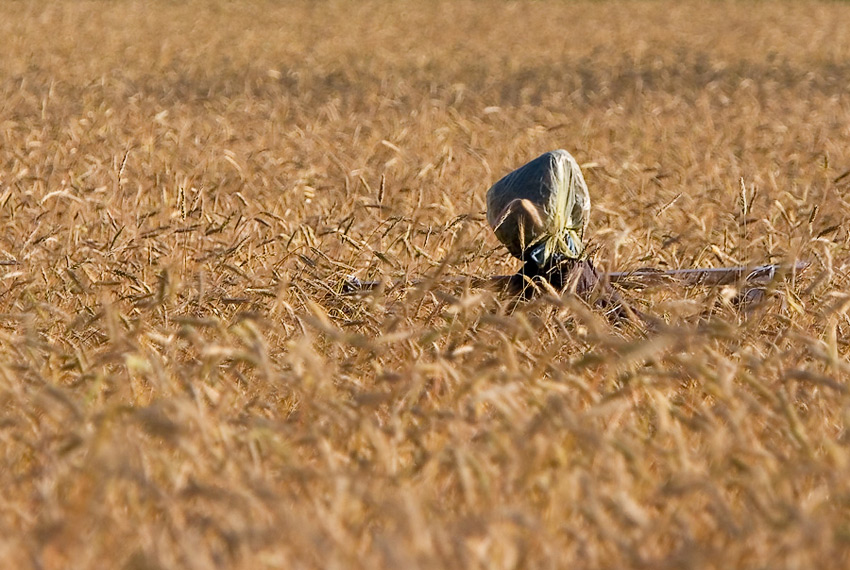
x: 639, y: 278
